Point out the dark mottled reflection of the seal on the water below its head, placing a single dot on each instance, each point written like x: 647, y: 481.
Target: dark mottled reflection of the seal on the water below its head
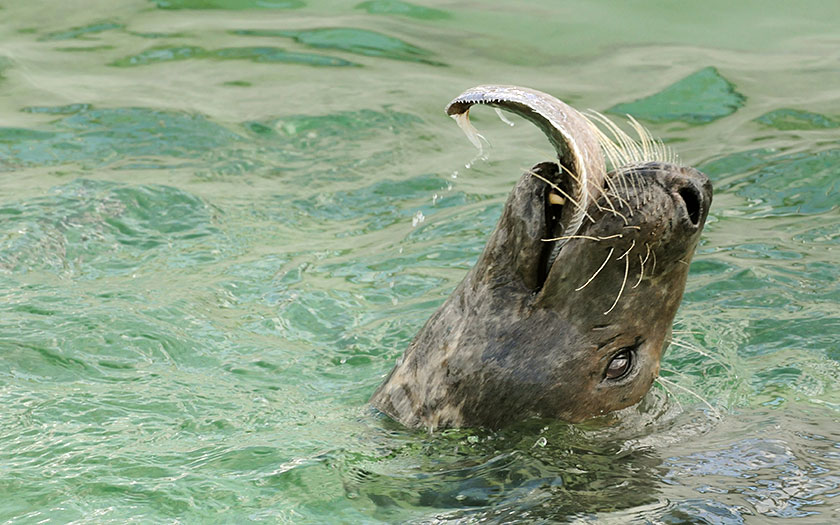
x: 534, y: 470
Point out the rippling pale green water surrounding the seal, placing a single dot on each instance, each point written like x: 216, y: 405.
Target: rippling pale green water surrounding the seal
x: 221, y: 222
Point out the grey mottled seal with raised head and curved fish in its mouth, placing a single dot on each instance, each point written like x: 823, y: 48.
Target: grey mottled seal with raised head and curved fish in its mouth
x: 569, y: 308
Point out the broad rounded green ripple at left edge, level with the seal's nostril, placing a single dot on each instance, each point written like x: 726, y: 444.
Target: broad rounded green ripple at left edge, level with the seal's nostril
x: 96, y: 228
